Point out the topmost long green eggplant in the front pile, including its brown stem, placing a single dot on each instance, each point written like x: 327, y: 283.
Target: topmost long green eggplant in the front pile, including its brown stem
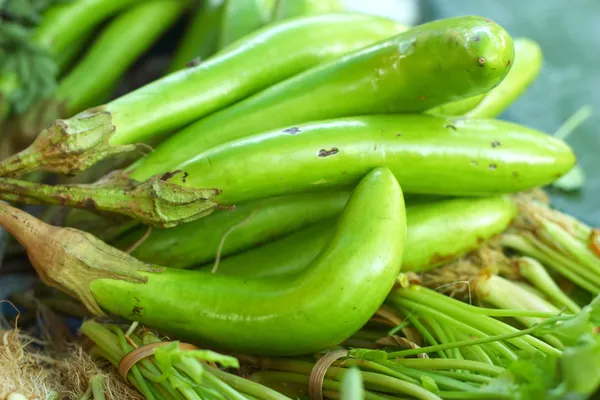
x: 176, y: 100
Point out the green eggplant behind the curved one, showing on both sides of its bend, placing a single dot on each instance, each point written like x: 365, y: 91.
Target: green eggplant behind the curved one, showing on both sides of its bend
x: 437, y: 233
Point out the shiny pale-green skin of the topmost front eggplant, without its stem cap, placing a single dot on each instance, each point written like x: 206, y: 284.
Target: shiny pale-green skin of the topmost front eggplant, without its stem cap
x: 267, y: 56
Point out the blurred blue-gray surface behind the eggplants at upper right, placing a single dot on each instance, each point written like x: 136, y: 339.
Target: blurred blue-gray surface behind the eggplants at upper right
x: 569, y: 34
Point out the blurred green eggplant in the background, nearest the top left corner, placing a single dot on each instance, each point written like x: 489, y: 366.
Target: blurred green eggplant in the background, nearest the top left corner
x: 64, y: 25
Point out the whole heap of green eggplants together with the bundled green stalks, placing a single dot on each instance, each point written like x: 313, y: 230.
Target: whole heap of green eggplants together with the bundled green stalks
x: 328, y: 206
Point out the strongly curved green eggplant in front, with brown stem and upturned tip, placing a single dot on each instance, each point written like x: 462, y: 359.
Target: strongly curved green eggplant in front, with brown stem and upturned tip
x: 314, y: 311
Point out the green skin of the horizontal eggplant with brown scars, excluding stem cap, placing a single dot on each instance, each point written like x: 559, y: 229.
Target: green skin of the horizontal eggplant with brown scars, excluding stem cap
x: 428, y: 155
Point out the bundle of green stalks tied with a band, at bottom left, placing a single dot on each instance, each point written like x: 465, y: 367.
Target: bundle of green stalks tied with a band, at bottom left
x: 171, y: 371
